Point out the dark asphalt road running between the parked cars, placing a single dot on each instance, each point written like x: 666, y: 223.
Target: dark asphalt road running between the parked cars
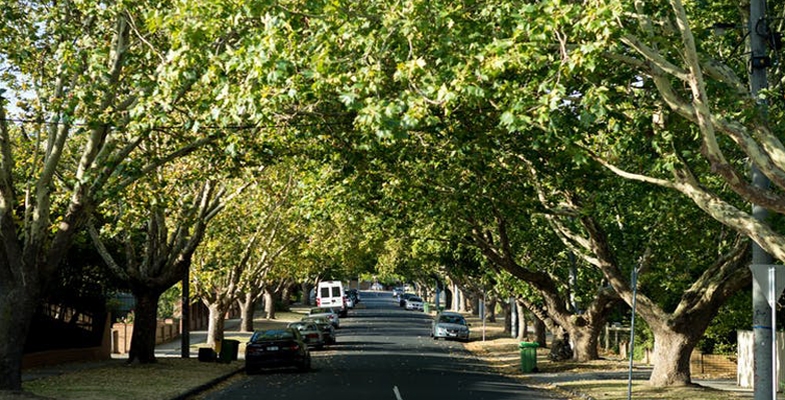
x: 384, y: 352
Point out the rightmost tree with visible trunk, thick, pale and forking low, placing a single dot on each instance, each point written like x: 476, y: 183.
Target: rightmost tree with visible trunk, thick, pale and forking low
x: 682, y: 284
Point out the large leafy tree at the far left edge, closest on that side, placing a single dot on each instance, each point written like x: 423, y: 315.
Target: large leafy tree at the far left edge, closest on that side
x: 92, y: 79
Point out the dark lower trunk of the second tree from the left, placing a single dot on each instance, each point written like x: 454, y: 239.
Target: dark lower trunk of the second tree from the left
x: 145, y: 325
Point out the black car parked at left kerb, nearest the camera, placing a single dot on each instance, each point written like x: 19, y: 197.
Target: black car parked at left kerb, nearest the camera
x: 277, y: 348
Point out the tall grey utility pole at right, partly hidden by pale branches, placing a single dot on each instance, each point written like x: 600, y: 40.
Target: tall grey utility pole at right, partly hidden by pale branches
x: 764, y: 382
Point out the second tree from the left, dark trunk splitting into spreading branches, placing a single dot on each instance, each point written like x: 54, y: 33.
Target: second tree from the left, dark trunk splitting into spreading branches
x: 160, y: 227
